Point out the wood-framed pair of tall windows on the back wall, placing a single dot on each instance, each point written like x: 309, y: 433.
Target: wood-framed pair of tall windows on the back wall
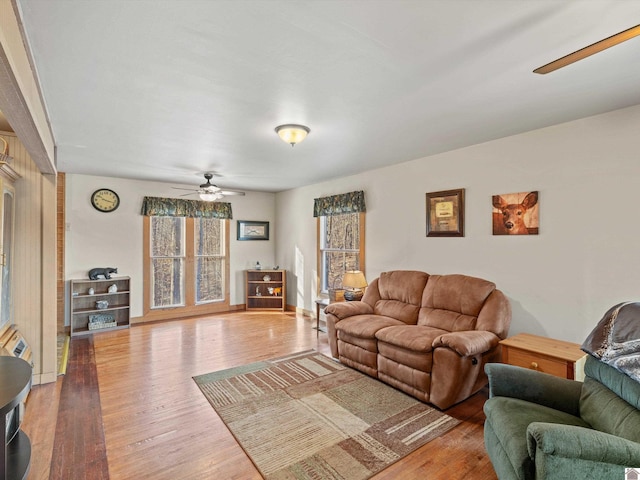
x: 186, y: 266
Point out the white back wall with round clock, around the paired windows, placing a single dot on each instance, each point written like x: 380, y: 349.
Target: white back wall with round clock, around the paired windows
x: 97, y: 239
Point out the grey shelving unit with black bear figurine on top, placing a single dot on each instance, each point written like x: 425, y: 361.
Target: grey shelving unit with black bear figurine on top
x: 87, y: 318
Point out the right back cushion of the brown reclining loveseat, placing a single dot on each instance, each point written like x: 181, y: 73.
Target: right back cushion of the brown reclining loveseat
x: 453, y: 302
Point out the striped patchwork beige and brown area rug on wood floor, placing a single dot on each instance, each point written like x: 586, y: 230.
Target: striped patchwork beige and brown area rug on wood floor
x: 306, y: 416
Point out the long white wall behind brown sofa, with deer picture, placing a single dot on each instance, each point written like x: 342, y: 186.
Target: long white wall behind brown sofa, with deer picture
x: 561, y: 281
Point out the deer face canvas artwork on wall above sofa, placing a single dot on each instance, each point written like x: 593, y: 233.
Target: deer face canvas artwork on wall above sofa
x: 516, y: 214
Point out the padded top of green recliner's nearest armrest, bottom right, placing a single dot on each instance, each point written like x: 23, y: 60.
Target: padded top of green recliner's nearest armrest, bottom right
x: 572, y: 442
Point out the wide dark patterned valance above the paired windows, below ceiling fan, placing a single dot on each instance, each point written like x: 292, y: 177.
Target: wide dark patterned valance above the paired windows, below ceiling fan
x: 179, y: 207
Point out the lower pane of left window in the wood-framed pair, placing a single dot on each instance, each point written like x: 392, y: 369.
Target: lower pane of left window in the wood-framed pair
x: 167, y: 282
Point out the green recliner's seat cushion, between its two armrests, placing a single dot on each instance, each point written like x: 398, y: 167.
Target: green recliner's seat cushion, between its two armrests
x: 509, y: 418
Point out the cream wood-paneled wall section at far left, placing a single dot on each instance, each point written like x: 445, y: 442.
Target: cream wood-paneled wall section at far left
x: 34, y: 268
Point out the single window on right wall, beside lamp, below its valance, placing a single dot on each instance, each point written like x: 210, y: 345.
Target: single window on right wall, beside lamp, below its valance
x: 340, y: 247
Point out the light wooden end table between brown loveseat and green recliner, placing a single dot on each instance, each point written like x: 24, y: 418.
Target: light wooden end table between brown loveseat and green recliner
x: 556, y: 357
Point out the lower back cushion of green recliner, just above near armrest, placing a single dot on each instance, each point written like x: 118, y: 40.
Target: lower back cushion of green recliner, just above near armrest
x: 607, y: 412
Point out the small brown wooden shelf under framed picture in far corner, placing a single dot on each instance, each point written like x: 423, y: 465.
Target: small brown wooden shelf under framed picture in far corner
x: 266, y: 290
